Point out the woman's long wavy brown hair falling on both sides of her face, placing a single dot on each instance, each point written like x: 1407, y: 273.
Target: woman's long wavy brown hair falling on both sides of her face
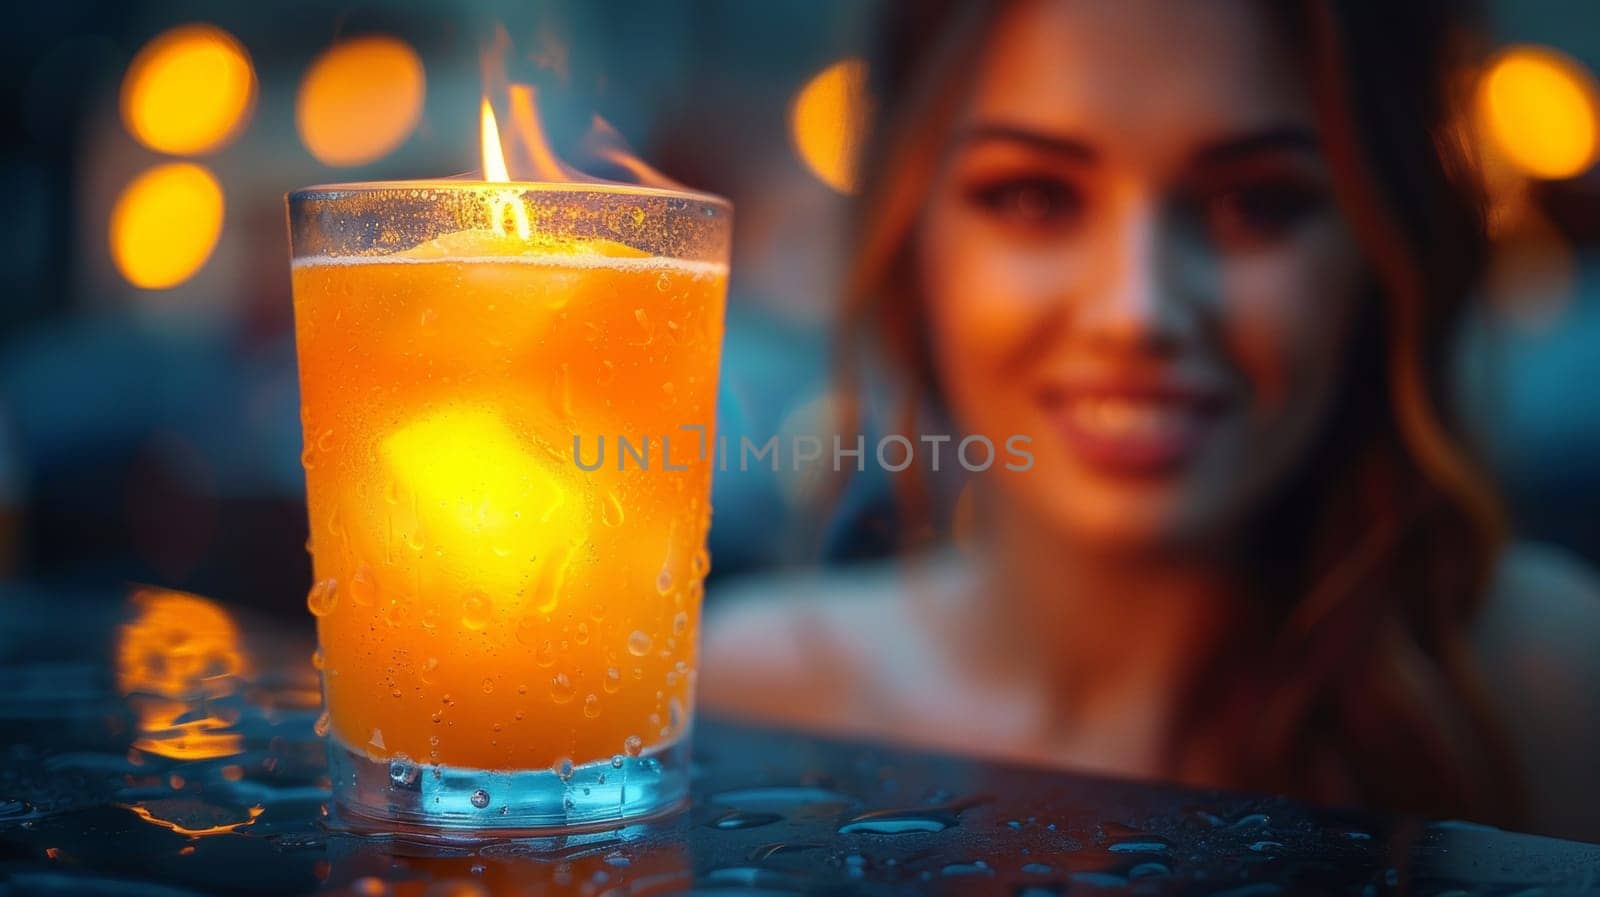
x: 1359, y: 684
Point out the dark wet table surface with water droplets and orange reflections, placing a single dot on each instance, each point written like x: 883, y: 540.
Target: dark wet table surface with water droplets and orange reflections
x: 159, y: 744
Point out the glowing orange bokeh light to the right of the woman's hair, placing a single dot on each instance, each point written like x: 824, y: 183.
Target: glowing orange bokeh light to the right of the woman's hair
x: 1540, y: 110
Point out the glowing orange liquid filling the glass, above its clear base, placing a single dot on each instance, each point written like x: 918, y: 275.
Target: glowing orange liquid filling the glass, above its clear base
x: 481, y: 599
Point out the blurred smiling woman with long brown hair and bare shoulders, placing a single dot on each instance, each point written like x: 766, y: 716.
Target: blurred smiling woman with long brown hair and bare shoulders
x: 1207, y: 257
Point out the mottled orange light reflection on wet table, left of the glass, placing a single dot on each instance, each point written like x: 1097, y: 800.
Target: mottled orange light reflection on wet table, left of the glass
x: 177, y: 655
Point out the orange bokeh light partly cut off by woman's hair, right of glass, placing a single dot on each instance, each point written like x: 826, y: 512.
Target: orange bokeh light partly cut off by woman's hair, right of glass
x: 828, y: 121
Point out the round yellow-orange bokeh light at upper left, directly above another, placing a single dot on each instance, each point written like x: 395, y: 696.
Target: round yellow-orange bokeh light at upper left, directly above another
x: 190, y: 90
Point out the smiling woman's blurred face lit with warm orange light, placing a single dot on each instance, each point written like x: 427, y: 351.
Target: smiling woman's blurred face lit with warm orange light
x: 1132, y: 257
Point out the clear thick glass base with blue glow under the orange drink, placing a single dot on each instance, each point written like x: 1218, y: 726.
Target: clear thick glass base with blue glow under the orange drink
x: 457, y: 802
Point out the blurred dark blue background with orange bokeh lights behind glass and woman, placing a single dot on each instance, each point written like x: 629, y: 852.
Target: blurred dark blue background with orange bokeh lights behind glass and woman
x: 150, y: 426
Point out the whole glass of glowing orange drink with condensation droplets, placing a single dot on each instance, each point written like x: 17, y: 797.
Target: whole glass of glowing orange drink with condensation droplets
x: 508, y: 396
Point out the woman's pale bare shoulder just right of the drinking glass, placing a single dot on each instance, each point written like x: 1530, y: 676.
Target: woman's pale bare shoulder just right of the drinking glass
x: 807, y: 648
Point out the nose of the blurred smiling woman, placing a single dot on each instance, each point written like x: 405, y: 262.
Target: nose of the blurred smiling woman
x: 1137, y: 301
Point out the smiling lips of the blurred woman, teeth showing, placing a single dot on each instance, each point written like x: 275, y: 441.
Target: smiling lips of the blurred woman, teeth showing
x: 1135, y: 426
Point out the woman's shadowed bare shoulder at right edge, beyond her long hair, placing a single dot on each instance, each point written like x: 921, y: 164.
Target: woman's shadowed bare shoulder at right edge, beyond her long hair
x: 1540, y: 644
